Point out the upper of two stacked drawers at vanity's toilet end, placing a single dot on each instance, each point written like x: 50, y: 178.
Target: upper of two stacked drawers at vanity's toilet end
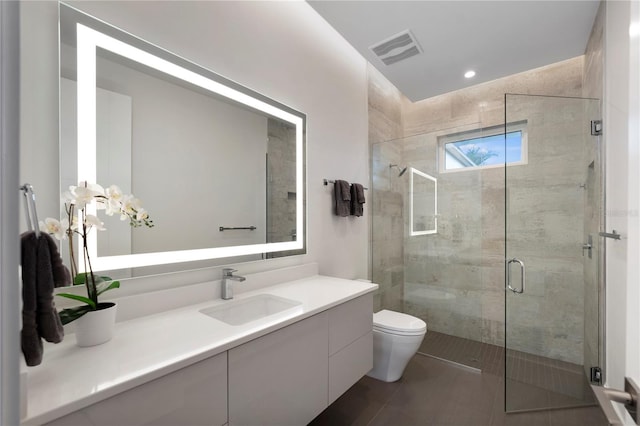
x: 350, y: 321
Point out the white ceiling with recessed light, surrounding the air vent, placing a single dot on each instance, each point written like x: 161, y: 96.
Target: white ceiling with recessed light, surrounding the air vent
x: 494, y: 38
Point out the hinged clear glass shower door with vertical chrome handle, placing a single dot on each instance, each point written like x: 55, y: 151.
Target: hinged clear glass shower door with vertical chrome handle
x: 552, y: 218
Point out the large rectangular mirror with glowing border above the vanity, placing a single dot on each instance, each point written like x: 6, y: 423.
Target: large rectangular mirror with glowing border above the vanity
x: 219, y: 167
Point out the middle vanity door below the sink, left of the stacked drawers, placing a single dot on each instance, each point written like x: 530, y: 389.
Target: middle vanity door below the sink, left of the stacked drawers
x: 281, y: 378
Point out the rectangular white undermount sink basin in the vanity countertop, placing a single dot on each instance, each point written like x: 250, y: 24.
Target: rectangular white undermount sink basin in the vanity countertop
x: 242, y: 311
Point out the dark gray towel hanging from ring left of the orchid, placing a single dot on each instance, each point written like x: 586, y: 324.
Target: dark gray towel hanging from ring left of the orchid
x: 42, y: 270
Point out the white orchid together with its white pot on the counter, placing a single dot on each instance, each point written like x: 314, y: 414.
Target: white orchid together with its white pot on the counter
x: 94, y: 320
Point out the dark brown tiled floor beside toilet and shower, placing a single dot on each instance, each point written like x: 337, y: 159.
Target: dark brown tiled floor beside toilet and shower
x: 441, y: 393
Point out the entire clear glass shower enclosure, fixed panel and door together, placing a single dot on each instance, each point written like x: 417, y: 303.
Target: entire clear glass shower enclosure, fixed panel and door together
x: 490, y: 233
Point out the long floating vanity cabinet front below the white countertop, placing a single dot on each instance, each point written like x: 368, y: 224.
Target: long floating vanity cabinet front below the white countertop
x: 285, y: 377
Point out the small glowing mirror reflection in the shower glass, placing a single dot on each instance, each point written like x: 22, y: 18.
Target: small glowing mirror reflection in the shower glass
x: 423, y: 194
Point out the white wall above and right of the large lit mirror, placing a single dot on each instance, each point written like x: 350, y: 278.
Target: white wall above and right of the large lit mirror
x: 281, y: 49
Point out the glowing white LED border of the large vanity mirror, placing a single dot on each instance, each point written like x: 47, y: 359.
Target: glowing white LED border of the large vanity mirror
x: 93, y: 34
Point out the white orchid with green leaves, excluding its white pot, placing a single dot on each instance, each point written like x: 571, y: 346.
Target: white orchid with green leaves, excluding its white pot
x: 77, y: 221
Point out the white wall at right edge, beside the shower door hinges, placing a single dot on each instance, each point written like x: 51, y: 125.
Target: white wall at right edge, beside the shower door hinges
x: 623, y: 197
